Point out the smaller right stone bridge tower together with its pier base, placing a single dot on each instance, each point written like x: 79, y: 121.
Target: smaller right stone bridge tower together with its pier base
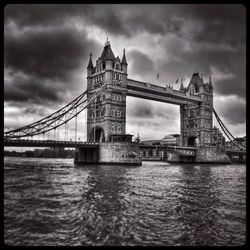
x: 197, y: 123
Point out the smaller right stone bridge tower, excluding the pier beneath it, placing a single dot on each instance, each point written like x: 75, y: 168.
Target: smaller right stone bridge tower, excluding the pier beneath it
x: 197, y: 119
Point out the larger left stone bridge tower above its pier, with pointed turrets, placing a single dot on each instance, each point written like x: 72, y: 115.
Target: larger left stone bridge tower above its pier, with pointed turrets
x: 107, y: 115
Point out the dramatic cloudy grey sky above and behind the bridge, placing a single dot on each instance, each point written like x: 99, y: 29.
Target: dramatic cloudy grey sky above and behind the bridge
x: 46, y: 51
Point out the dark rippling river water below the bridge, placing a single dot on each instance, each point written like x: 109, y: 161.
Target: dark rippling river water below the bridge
x: 53, y: 202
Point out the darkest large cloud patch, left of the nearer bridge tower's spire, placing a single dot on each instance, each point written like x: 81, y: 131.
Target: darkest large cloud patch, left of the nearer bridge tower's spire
x: 47, y: 53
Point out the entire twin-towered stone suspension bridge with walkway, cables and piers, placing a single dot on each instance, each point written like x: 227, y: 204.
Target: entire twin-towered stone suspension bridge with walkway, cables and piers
x: 105, y: 103
